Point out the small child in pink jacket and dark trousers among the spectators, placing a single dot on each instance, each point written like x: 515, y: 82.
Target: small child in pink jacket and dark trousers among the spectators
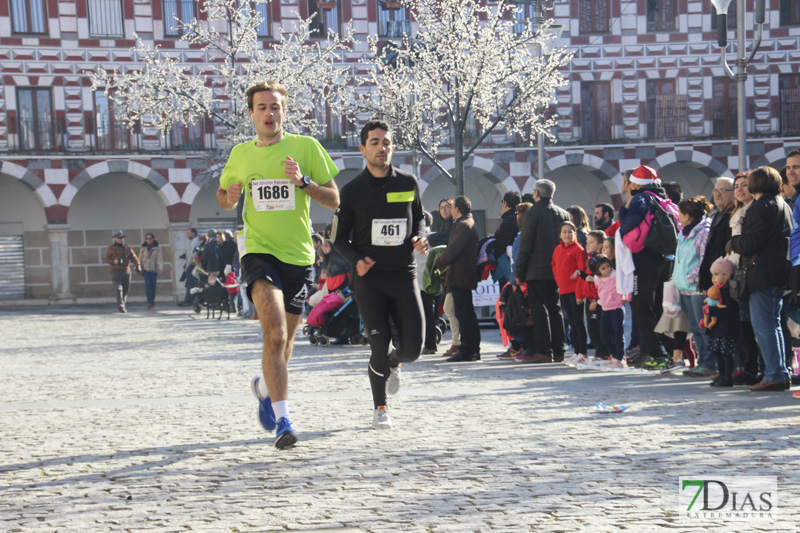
x: 613, y: 315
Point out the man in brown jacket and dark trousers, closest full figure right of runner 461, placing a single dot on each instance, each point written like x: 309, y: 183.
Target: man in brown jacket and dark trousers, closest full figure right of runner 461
x: 461, y: 256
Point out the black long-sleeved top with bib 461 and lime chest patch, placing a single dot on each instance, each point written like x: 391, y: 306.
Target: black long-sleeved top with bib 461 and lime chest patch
x: 377, y: 218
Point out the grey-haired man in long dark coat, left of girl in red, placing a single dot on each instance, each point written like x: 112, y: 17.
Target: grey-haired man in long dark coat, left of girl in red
x: 539, y: 237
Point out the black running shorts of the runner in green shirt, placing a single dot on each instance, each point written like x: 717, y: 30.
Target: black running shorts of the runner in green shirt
x: 292, y: 280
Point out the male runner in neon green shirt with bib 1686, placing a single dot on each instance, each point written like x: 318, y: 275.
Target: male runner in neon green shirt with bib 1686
x: 278, y: 173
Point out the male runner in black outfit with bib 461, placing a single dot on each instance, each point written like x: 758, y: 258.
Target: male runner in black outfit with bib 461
x: 383, y: 210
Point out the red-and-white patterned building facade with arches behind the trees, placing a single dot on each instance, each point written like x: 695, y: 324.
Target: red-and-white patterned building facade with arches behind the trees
x: 646, y: 87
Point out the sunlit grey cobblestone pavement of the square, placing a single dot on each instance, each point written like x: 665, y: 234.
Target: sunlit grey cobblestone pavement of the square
x: 145, y: 422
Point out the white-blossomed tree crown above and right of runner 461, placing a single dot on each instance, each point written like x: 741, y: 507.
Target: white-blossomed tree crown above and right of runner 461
x: 465, y: 62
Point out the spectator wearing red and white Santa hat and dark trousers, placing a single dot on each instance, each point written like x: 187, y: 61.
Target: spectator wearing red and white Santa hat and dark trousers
x: 652, y: 268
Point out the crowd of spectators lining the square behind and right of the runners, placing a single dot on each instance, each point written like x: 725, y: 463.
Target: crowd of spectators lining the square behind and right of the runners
x: 720, y: 302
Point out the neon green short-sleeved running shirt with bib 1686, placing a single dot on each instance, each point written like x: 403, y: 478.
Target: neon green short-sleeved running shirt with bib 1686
x: 273, y: 224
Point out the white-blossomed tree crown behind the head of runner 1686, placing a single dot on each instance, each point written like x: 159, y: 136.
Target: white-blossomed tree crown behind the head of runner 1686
x: 163, y: 92
